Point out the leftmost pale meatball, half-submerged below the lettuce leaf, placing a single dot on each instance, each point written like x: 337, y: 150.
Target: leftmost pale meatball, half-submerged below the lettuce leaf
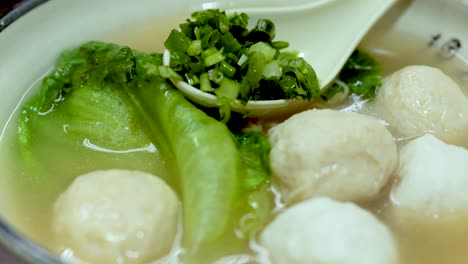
x: 116, y: 216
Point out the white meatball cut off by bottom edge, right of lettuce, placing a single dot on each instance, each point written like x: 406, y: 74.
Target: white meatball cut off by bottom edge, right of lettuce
x: 322, y: 231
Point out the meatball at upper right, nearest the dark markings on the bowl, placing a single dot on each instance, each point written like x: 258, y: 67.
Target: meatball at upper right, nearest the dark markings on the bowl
x: 420, y: 99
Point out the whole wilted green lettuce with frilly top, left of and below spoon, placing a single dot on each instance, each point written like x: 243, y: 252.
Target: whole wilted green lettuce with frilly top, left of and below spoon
x: 117, y: 96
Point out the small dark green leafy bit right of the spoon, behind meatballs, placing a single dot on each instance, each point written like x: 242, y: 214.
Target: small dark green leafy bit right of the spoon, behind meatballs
x: 361, y: 74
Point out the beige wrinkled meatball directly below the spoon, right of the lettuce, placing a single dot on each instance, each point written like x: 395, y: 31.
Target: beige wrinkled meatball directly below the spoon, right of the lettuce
x: 346, y: 156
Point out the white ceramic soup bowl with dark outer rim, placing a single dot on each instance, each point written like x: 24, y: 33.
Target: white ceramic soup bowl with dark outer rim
x: 30, y: 45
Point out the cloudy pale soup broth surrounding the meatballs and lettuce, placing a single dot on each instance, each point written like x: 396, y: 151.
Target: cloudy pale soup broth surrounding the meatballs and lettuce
x: 26, y: 200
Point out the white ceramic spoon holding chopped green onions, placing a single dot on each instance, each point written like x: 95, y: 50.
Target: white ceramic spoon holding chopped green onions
x: 325, y: 32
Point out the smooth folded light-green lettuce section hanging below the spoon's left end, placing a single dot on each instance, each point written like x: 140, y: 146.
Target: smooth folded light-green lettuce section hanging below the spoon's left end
x: 206, y: 158
